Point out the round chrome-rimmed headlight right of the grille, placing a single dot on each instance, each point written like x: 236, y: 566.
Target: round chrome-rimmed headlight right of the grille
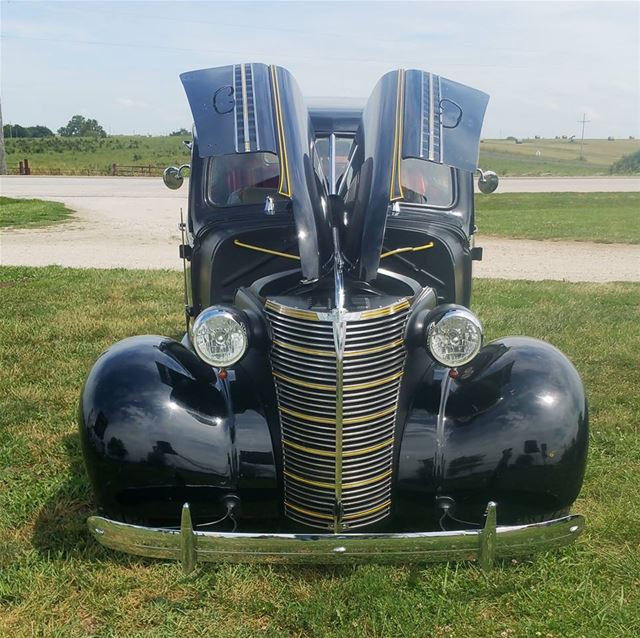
x: 454, y: 338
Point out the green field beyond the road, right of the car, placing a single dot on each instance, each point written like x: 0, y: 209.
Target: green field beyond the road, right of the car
x: 556, y: 157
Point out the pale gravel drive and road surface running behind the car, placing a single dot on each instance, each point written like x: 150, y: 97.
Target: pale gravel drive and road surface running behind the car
x: 132, y: 223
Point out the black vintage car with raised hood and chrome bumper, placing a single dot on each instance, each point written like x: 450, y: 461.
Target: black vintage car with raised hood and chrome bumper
x: 332, y: 399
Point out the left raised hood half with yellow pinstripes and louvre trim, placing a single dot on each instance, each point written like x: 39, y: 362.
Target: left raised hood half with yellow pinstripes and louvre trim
x: 246, y: 108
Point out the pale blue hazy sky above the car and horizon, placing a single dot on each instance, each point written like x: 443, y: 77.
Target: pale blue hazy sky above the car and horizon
x: 543, y: 63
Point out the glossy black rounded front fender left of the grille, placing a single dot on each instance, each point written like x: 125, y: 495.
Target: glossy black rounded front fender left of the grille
x: 158, y: 429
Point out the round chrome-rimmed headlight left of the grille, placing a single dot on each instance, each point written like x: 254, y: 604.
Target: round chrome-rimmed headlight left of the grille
x: 219, y: 337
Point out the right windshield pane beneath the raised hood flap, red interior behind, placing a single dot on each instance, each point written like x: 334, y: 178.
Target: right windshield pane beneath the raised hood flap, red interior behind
x: 426, y: 183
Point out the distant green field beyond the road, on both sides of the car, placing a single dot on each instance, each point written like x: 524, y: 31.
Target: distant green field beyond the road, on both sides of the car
x: 70, y: 156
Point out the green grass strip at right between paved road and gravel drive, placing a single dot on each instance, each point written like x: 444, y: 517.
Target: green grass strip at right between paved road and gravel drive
x: 599, y: 217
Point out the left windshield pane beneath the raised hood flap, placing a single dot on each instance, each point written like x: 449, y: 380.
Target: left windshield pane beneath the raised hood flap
x: 243, y: 178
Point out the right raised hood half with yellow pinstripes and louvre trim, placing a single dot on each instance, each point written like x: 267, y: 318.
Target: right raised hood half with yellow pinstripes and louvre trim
x: 410, y: 114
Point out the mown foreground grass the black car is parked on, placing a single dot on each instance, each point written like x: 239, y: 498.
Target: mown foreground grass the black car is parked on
x: 56, y: 581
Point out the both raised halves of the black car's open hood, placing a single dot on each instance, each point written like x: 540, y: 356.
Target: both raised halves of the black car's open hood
x: 247, y: 108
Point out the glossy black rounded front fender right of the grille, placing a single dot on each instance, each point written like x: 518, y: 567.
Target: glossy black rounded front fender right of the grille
x: 513, y: 428
